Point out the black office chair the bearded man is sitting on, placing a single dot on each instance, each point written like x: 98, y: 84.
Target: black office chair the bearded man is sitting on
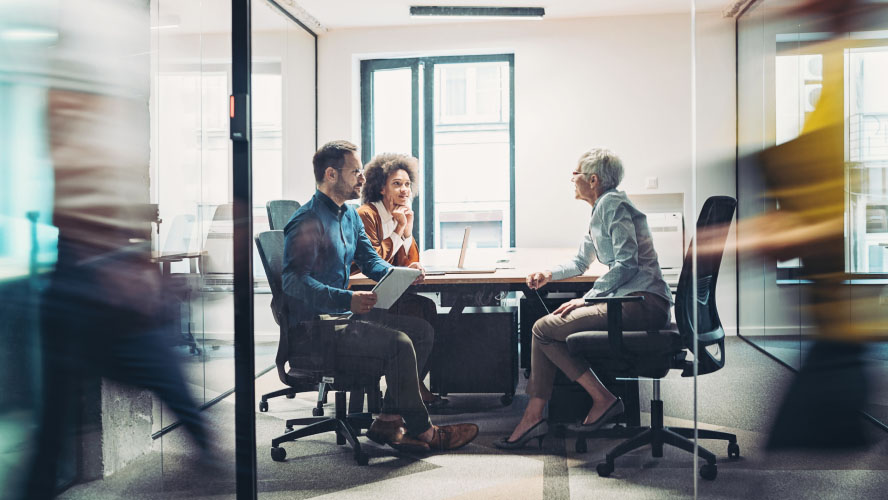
x: 309, y: 352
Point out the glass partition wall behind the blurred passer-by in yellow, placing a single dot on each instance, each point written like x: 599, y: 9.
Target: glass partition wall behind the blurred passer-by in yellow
x: 781, y: 66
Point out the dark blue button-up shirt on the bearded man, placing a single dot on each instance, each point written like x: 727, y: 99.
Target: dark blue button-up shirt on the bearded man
x: 322, y: 240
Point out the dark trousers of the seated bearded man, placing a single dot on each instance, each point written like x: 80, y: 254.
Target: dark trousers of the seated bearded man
x: 380, y: 343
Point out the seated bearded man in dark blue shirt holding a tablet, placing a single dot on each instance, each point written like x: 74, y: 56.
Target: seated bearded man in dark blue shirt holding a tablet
x: 323, y: 238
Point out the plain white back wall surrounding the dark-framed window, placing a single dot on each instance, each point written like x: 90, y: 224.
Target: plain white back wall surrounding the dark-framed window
x: 619, y: 82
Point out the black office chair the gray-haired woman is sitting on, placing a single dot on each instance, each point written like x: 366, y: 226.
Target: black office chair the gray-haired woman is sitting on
x: 653, y: 354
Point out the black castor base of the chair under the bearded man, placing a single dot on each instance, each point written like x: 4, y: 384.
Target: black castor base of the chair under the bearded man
x: 346, y: 426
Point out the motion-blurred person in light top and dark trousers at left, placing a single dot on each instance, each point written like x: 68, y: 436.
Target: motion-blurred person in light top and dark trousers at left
x: 102, y: 312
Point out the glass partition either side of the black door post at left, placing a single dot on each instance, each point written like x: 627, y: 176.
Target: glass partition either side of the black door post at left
x: 191, y: 182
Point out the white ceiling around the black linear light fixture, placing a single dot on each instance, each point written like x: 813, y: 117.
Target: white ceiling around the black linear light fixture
x: 338, y: 14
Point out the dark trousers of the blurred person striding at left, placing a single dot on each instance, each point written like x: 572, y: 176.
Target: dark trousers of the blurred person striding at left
x: 85, y: 337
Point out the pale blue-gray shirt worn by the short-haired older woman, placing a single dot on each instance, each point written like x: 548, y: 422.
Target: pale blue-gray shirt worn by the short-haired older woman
x: 620, y: 238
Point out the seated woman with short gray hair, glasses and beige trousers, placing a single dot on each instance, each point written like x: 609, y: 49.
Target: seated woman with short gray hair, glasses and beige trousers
x: 620, y: 238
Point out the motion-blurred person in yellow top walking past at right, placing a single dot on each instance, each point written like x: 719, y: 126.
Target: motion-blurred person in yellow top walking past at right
x: 806, y: 177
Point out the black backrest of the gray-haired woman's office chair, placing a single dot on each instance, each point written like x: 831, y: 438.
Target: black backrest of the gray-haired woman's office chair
x: 712, y: 230
